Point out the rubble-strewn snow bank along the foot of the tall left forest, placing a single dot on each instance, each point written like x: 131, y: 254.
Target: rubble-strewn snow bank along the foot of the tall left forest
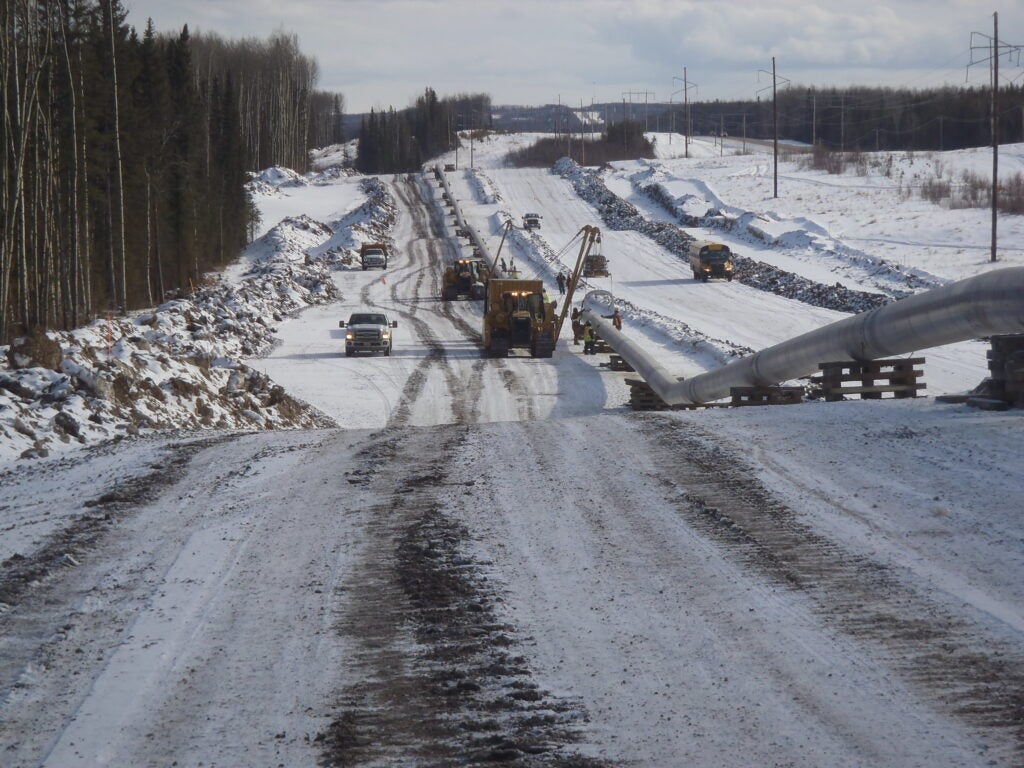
x: 177, y: 366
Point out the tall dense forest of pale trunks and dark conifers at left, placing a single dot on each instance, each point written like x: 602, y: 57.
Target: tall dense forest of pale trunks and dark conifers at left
x: 125, y: 155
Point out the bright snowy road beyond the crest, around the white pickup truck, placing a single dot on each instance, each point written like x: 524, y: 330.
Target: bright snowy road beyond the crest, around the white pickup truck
x: 436, y: 374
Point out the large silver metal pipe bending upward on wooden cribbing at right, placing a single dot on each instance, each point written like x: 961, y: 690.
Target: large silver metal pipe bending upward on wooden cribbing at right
x: 986, y: 306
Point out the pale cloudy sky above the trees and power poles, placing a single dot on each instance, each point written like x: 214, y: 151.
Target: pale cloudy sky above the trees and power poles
x: 385, y: 53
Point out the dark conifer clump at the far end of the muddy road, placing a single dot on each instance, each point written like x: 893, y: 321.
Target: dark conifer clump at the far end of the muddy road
x: 400, y: 142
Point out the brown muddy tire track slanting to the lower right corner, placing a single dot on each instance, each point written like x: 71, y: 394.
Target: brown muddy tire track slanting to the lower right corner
x: 963, y: 666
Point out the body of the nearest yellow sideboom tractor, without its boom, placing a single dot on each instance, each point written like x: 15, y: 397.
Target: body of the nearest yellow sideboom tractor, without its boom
x: 517, y: 317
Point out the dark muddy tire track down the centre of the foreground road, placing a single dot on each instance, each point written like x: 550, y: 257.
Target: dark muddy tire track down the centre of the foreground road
x: 443, y: 681
